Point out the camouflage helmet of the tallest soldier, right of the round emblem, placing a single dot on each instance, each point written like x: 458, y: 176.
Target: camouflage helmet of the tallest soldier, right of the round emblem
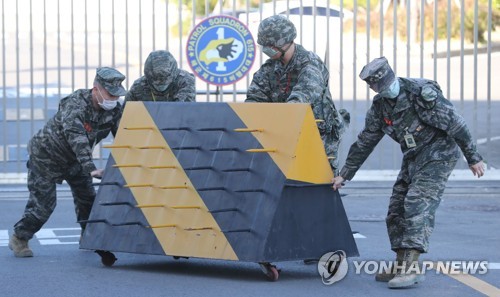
x: 276, y: 31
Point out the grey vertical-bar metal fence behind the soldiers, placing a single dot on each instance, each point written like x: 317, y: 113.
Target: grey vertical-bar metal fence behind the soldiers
x: 52, y: 47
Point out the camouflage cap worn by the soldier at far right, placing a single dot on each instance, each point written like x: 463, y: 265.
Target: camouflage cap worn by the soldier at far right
x: 378, y: 74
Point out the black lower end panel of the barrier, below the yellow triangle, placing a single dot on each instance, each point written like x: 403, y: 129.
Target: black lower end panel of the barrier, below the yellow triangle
x: 309, y: 222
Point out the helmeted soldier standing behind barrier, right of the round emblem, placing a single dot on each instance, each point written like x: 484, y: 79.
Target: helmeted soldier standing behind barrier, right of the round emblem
x: 295, y: 75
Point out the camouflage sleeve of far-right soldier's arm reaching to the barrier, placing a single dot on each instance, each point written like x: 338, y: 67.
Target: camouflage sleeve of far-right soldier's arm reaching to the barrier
x: 367, y: 140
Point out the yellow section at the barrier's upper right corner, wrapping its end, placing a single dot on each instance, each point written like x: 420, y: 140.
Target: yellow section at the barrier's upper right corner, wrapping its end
x: 289, y: 133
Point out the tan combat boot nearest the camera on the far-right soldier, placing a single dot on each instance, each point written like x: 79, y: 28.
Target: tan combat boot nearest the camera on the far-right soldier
x: 409, y: 274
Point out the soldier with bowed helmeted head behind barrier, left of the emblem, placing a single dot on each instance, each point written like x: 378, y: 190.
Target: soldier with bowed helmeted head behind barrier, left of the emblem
x: 162, y: 81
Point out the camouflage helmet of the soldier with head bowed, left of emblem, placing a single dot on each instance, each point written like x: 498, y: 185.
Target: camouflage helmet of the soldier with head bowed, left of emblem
x: 160, y: 70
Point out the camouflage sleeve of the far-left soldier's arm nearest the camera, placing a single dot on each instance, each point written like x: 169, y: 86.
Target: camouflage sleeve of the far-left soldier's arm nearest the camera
x: 72, y: 119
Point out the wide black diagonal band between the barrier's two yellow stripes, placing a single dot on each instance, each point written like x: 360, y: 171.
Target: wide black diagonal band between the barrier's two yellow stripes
x: 211, y: 142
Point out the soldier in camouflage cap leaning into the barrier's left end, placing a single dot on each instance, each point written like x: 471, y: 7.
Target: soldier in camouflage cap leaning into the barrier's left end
x: 62, y: 150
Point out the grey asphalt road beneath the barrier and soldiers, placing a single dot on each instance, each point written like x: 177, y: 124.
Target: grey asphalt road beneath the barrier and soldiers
x: 466, y: 230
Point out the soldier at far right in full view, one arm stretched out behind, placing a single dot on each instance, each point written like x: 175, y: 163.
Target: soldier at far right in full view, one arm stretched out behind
x: 429, y: 130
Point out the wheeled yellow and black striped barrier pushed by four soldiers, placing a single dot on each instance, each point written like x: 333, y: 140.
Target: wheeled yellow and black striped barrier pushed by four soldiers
x: 234, y: 181
